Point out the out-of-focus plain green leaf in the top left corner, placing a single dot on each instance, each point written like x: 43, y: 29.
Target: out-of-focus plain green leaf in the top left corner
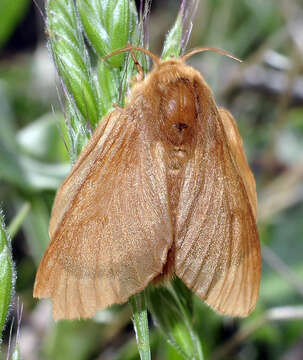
x: 11, y: 13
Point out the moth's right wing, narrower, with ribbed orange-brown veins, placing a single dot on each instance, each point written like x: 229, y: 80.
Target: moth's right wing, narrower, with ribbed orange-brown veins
x: 217, y: 245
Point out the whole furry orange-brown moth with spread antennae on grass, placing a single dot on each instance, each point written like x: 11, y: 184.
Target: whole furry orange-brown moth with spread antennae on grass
x: 162, y: 188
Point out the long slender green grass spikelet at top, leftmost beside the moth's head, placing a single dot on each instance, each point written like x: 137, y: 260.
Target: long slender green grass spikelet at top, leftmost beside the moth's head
x: 71, y: 57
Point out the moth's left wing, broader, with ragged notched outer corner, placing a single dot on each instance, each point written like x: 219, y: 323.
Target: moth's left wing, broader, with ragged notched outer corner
x: 110, y: 227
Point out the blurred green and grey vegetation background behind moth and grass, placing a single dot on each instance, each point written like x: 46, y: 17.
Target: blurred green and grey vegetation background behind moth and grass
x: 265, y: 95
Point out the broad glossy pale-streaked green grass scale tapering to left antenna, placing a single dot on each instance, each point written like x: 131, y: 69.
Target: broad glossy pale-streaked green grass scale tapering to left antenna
x: 107, y: 26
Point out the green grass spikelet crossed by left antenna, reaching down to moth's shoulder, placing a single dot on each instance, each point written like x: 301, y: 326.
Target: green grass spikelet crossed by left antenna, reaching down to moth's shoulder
x: 111, y: 25
